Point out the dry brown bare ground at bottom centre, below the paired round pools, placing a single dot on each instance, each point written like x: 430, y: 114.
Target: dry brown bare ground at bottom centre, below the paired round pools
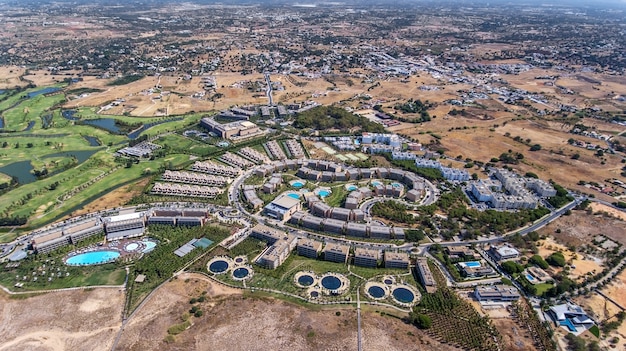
x: 234, y: 322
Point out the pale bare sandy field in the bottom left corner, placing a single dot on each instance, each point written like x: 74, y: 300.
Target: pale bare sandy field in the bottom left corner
x: 69, y: 320
